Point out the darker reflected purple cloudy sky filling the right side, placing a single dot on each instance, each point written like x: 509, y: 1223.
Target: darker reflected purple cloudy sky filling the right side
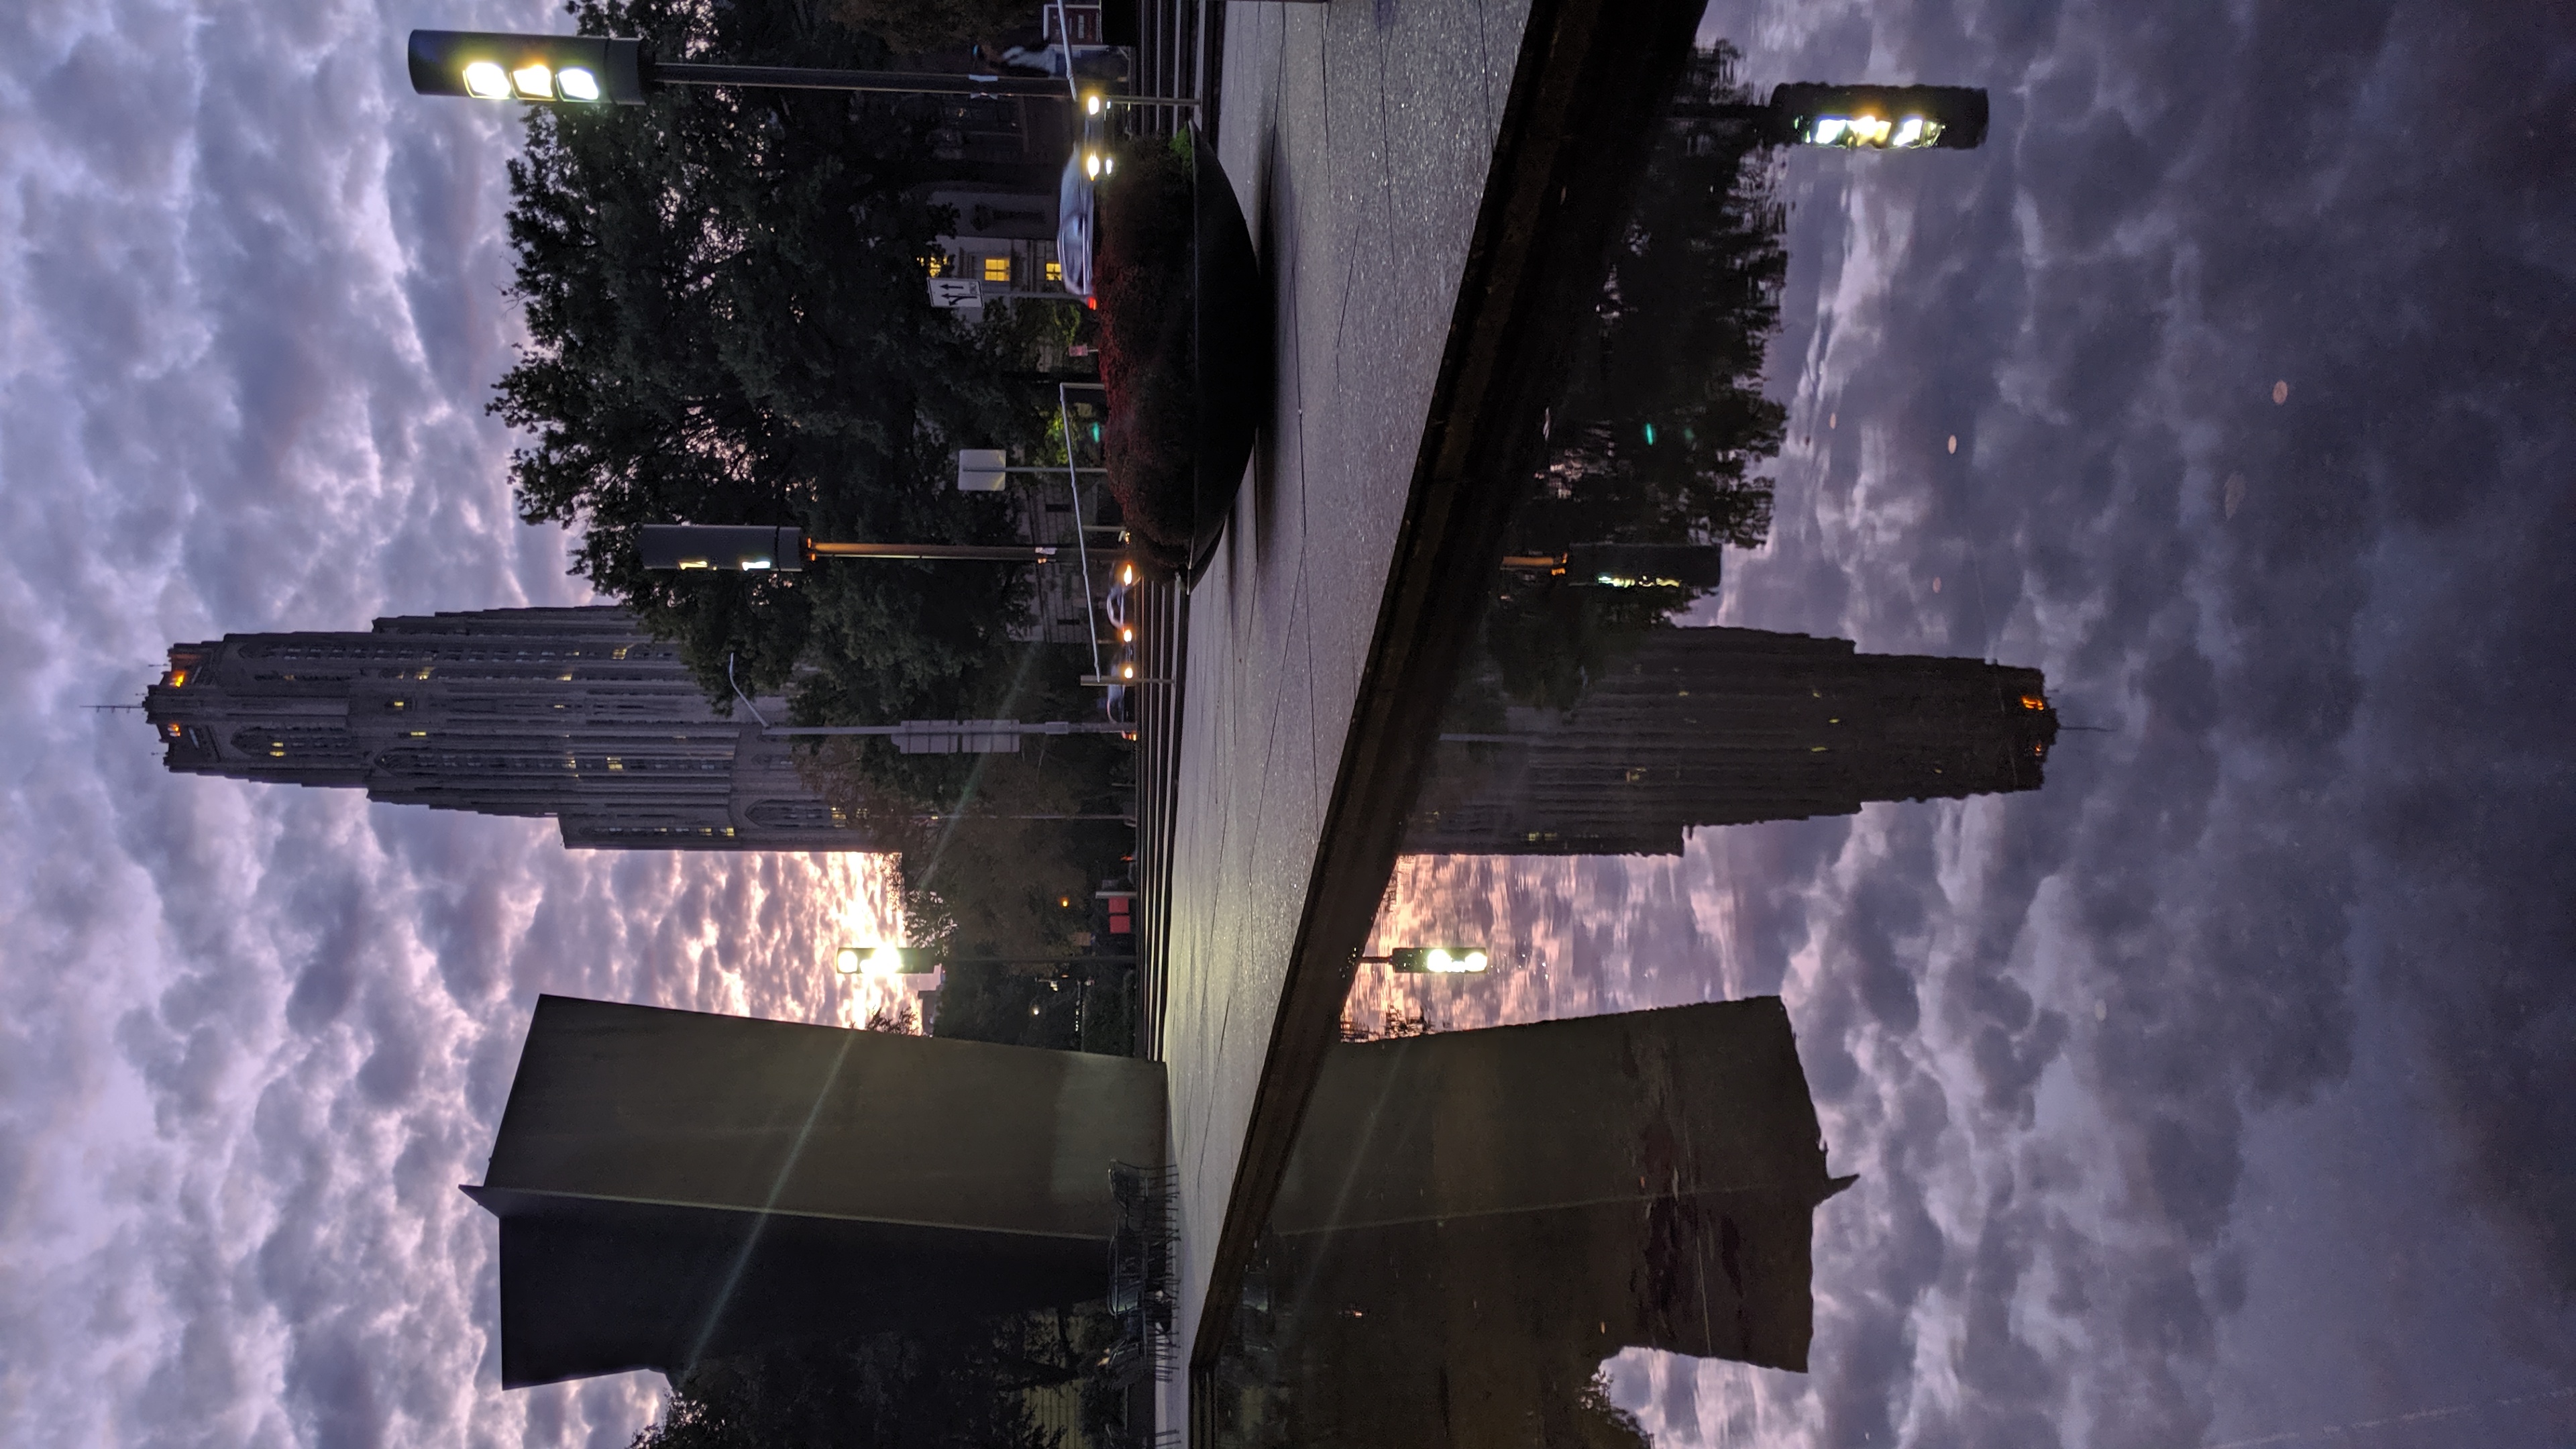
x: 2227, y: 1089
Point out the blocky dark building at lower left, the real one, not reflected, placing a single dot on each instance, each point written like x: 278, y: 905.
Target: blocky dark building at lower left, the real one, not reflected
x: 676, y: 1187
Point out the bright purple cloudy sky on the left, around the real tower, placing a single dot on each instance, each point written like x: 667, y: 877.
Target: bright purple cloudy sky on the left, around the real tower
x: 251, y: 295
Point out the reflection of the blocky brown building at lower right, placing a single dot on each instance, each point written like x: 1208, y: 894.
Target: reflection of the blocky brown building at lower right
x: 1475, y: 1221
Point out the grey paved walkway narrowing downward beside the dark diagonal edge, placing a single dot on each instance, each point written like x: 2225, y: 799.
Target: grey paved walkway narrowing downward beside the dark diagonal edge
x: 1359, y: 141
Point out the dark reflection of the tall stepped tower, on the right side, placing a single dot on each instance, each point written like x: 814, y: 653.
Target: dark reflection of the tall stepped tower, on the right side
x: 1727, y: 728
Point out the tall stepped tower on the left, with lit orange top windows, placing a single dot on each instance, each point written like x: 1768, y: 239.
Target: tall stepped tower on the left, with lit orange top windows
x: 565, y: 713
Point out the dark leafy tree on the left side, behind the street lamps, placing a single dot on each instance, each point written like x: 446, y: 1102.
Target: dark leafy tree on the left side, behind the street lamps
x: 728, y: 326
